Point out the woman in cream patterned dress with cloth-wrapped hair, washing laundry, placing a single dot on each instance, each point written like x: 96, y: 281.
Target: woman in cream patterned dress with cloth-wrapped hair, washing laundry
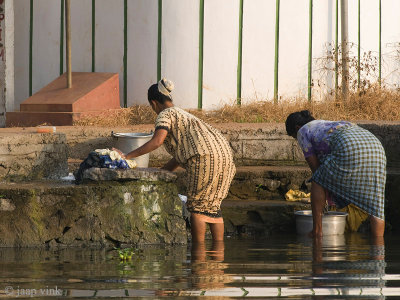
x: 201, y: 150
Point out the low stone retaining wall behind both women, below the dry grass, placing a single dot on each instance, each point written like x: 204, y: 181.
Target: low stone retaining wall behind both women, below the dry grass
x: 252, y: 144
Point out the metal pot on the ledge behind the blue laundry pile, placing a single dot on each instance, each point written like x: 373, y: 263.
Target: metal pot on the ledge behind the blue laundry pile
x: 127, y: 142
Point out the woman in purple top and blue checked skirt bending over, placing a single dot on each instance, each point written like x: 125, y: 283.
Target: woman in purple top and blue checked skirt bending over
x: 347, y: 161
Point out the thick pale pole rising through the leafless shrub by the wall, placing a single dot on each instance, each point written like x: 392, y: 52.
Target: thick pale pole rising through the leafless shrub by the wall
x: 345, y: 48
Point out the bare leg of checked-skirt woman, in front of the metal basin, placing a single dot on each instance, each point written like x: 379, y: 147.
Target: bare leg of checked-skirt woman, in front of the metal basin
x: 317, y: 206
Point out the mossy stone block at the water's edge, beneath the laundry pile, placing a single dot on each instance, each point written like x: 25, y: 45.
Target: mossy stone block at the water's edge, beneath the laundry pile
x: 100, y: 213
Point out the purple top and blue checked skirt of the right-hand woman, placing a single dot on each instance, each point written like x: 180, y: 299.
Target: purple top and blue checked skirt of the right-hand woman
x: 352, y: 163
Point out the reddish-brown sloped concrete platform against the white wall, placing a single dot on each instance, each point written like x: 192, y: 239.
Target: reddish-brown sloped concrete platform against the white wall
x: 91, y: 93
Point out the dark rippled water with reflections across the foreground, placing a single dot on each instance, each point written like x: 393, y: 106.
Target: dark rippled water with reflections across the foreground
x: 282, y: 266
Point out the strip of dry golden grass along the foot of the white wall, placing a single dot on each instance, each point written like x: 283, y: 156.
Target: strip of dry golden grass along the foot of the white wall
x: 374, y: 104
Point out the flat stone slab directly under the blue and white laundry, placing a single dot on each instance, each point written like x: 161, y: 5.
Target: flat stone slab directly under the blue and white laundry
x: 142, y: 174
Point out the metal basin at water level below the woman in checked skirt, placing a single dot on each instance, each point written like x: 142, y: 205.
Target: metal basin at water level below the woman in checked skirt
x: 333, y: 222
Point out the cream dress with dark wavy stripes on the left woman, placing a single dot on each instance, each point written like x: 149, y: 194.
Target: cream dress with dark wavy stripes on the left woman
x: 204, y: 153
